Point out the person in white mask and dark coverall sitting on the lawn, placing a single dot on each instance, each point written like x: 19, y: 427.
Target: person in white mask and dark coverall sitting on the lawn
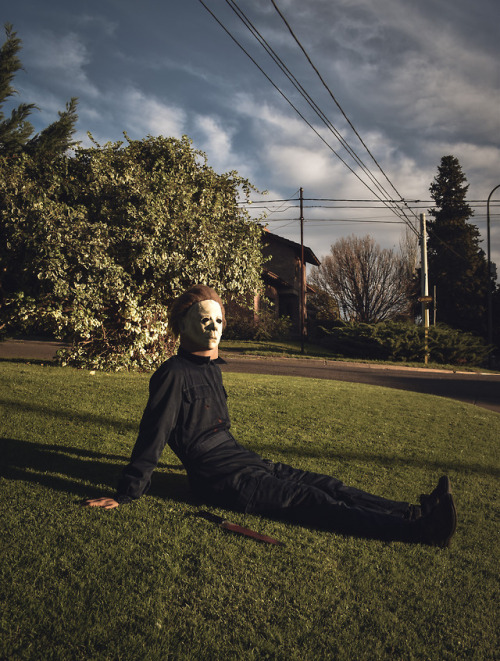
x: 187, y: 409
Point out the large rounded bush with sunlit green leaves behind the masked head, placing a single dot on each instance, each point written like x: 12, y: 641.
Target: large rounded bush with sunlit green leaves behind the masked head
x: 95, y: 247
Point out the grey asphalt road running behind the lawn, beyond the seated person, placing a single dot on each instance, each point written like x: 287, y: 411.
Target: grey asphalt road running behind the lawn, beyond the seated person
x: 478, y: 389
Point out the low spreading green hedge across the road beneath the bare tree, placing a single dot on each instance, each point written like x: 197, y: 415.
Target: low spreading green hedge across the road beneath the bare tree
x: 404, y: 341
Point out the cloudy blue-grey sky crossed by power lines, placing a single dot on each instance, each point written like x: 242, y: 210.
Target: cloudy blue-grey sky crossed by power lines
x: 417, y: 80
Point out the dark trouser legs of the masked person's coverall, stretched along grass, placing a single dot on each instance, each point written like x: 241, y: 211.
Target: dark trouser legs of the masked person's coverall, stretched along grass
x: 311, y: 499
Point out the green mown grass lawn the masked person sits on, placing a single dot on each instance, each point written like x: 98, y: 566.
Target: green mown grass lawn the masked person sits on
x: 154, y: 580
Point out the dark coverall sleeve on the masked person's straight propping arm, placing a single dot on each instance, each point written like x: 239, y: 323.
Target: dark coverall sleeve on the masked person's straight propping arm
x: 158, y: 421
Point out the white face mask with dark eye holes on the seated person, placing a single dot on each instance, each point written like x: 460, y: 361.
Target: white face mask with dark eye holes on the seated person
x: 202, y: 325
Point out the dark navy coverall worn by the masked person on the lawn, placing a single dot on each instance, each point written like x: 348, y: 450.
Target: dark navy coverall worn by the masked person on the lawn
x: 187, y: 409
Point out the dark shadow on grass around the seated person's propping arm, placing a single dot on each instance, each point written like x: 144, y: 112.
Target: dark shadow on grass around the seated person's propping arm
x: 65, y: 468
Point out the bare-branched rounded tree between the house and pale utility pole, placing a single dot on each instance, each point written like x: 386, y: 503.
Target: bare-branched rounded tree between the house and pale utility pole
x: 366, y: 283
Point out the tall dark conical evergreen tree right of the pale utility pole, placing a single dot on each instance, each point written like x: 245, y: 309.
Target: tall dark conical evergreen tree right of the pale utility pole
x: 457, y: 264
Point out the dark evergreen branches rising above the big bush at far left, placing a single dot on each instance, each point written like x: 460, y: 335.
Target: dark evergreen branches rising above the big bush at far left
x: 16, y: 130
